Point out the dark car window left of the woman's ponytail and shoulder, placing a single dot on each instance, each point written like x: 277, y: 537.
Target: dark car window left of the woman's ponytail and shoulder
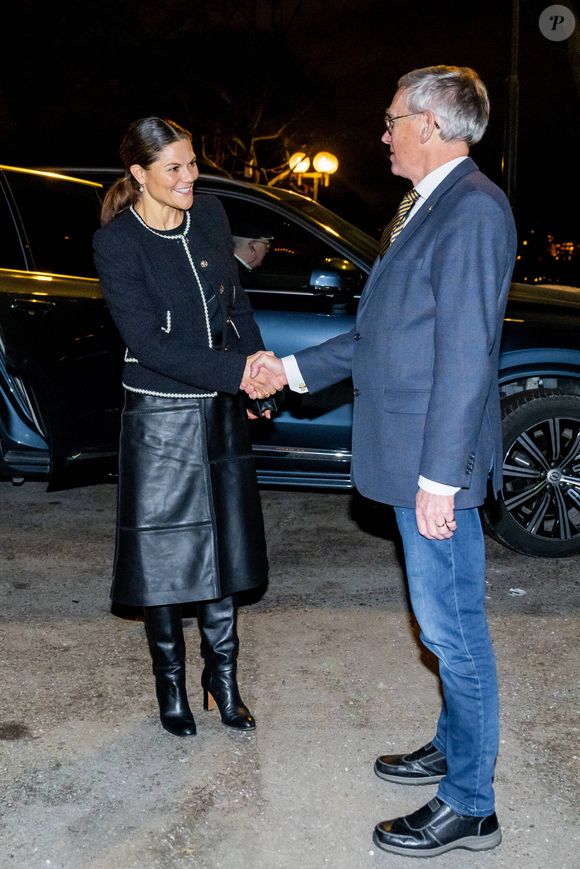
x: 60, y: 218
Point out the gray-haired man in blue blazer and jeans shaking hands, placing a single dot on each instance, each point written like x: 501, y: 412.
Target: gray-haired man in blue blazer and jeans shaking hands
x: 427, y: 431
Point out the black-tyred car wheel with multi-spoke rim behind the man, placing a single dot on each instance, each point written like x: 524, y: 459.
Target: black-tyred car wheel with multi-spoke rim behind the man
x: 538, y: 511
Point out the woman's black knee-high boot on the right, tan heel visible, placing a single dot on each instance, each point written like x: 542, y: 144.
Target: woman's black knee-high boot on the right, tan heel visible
x: 219, y: 647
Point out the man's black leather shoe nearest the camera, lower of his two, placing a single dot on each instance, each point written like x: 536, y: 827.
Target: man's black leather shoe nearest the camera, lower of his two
x: 435, y: 829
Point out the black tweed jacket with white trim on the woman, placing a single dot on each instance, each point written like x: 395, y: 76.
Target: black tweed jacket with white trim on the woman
x: 161, y: 289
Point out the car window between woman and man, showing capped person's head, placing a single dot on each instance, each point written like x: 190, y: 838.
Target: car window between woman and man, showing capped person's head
x: 297, y: 259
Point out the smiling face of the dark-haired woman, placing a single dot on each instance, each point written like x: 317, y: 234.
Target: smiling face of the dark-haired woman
x: 169, y: 180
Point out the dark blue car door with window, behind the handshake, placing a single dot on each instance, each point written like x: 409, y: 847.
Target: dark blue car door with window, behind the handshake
x: 305, y: 292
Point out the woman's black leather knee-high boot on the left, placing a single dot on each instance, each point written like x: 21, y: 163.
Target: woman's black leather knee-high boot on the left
x: 165, y: 636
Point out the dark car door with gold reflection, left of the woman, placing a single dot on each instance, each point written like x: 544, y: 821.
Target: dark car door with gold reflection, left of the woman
x: 59, y: 342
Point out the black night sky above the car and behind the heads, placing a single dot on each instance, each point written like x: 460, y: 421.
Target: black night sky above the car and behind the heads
x: 73, y: 75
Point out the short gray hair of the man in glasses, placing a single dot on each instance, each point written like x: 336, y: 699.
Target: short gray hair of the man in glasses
x: 455, y: 94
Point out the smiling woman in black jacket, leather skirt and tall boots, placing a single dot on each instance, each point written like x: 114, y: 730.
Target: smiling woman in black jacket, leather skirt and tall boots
x: 189, y: 524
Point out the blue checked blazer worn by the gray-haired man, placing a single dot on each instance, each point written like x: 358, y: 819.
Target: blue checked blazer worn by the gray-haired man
x: 424, y: 352
